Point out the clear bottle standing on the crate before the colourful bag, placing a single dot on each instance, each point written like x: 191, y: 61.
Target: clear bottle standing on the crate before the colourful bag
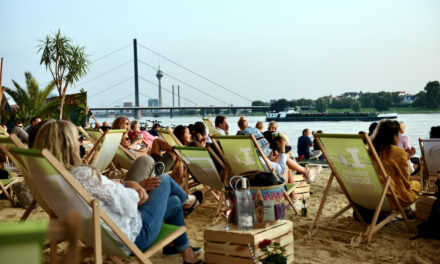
x: 245, y: 207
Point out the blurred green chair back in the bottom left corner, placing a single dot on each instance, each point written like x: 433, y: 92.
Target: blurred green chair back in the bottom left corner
x: 22, y: 242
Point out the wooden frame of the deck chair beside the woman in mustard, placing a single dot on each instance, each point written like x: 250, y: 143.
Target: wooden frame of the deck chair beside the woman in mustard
x: 375, y: 225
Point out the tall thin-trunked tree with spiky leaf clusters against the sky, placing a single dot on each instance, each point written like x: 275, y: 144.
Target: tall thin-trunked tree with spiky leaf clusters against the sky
x: 66, y: 62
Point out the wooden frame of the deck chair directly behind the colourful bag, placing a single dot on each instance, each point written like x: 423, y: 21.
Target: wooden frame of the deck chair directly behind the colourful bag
x: 251, y: 137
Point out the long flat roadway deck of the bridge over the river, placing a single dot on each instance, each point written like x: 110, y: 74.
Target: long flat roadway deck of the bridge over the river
x: 136, y: 109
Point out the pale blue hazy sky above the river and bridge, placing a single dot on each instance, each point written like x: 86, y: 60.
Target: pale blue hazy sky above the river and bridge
x: 261, y: 50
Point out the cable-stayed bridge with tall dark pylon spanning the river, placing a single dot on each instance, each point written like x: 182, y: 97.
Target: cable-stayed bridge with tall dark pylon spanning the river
x: 189, y: 88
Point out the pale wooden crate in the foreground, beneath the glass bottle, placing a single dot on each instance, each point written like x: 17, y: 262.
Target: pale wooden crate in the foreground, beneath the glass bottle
x: 231, y: 246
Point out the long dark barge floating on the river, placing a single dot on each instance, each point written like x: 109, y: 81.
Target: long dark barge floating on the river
x: 295, y: 116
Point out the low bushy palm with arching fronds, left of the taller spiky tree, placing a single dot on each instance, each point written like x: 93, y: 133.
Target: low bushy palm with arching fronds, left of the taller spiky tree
x: 31, y: 101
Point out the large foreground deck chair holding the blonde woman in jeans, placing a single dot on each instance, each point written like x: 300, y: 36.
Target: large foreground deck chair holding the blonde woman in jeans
x: 64, y: 194
